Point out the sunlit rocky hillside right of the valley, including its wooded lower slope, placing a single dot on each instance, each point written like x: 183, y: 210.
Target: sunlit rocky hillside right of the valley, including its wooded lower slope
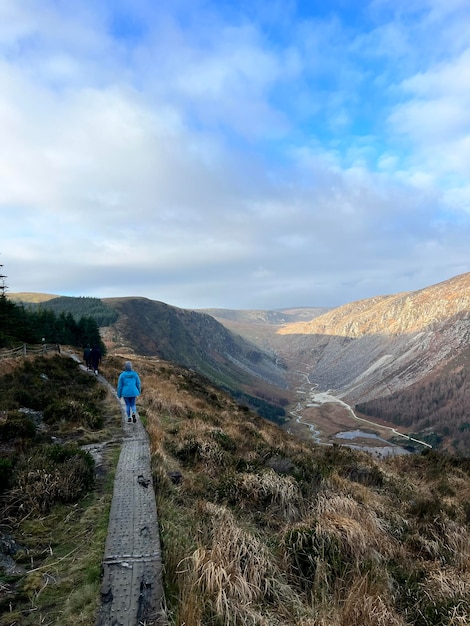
x: 378, y: 349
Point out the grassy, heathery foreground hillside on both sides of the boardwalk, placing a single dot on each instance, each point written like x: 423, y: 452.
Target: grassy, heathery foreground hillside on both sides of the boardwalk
x: 258, y: 527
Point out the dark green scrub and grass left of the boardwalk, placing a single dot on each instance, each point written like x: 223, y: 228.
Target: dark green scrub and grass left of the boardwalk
x: 54, y: 498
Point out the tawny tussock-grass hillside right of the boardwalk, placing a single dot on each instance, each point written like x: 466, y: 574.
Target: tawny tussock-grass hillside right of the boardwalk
x: 260, y: 528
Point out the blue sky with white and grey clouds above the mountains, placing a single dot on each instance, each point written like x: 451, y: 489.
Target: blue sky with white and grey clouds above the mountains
x: 241, y: 154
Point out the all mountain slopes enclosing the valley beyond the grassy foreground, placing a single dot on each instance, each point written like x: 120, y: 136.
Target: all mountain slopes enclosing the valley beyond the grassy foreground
x: 399, y: 360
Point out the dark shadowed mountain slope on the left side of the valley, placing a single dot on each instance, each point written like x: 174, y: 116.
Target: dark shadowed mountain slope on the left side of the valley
x: 198, y: 341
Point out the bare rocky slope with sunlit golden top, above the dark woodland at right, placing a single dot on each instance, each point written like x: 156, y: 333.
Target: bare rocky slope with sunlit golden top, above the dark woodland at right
x: 374, y: 347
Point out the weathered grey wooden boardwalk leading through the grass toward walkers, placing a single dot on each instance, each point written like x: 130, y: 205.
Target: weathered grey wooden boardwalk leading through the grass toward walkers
x: 132, y: 591
